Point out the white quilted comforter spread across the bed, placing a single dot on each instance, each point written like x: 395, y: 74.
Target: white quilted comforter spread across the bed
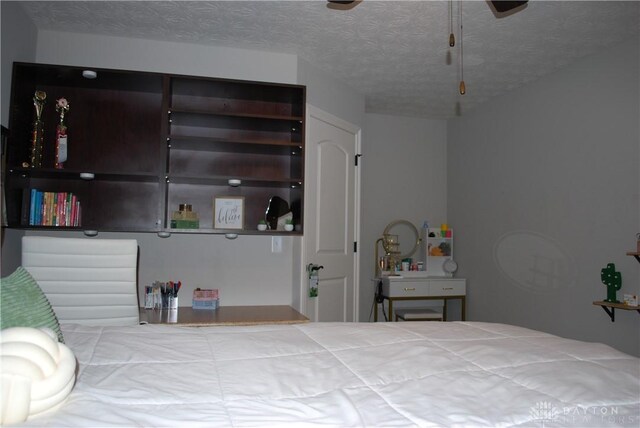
x: 345, y: 374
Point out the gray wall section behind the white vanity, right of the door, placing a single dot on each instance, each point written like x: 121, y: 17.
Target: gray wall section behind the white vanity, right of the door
x: 404, y: 177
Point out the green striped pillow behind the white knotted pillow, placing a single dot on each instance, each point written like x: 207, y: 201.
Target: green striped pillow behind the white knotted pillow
x: 24, y: 304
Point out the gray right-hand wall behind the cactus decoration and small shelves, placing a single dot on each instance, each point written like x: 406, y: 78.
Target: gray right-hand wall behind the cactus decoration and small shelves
x: 544, y: 192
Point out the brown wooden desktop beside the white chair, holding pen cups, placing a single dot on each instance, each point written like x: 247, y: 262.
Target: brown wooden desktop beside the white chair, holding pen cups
x: 224, y: 315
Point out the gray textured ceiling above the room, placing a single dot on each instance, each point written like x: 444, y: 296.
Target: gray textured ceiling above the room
x: 396, y: 53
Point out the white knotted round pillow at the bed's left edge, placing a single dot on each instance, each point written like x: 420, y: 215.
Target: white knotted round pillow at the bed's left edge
x: 37, y: 372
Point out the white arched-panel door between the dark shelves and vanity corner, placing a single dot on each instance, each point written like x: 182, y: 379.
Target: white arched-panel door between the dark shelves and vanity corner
x: 331, y: 216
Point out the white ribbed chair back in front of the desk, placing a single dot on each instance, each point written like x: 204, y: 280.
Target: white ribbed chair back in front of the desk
x: 87, y: 281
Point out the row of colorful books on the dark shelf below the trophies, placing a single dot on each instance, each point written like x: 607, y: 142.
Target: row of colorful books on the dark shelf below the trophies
x: 60, y: 209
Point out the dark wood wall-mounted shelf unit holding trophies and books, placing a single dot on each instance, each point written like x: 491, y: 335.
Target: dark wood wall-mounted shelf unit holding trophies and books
x: 153, y: 141
